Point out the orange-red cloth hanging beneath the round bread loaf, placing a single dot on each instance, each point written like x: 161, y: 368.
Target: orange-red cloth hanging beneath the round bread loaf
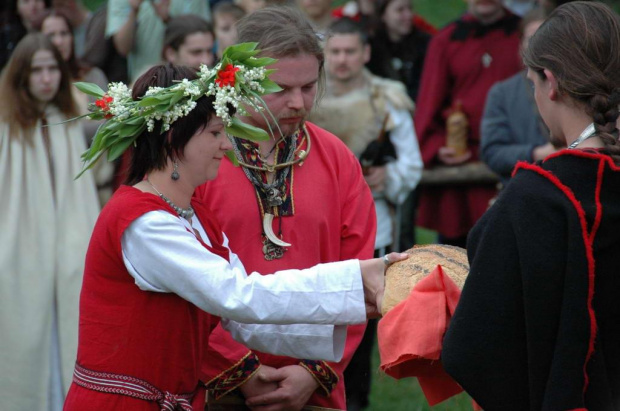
x: 410, y: 336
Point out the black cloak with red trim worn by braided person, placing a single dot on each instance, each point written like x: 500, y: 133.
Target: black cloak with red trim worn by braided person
x: 538, y: 324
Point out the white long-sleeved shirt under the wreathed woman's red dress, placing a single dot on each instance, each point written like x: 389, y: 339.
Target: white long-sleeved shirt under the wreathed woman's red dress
x: 163, y: 256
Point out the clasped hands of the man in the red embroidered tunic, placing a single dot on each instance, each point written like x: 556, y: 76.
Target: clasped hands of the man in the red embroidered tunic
x: 295, y: 386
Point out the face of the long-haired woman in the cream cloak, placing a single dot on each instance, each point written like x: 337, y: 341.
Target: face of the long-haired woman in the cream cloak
x: 44, y: 79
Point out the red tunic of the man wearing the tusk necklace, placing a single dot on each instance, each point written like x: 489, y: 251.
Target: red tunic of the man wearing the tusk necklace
x: 334, y: 219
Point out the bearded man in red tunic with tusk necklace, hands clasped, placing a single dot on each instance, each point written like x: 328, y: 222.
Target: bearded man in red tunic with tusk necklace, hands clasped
x: 297, y: 200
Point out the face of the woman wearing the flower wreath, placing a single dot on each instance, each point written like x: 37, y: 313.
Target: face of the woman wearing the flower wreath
x: 204, y: 152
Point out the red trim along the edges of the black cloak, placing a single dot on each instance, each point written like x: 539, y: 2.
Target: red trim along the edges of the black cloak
x: 586, y: 239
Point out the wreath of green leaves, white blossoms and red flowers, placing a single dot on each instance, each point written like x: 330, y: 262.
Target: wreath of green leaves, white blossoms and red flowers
x: 238, y: 78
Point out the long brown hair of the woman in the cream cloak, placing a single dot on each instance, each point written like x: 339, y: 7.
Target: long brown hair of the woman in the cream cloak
x: 17, y: 107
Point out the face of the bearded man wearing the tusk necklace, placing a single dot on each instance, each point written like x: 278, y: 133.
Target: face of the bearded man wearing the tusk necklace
x: 298, y: 76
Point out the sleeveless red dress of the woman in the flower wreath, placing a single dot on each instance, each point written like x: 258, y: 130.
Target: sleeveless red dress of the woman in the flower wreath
x: 152, y: 336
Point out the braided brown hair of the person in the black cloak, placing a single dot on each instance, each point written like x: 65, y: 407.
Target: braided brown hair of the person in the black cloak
x: 579, y: 44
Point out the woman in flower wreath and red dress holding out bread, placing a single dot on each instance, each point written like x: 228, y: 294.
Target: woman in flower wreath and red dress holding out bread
x: 159, y: 272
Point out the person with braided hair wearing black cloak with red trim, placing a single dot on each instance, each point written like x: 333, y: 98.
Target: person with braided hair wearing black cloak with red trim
x: 536, y: 327
